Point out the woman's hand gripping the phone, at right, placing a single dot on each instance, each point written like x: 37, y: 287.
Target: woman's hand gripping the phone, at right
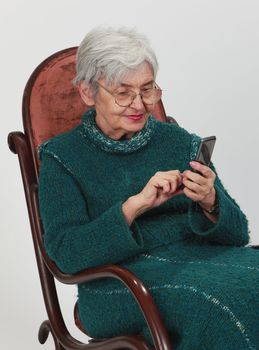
x: 200, y: 186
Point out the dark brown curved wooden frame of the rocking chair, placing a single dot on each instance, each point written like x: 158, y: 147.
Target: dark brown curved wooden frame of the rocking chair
x: 23, y: 144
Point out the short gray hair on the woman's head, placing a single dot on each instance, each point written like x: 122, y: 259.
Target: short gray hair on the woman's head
x: 111, y: 53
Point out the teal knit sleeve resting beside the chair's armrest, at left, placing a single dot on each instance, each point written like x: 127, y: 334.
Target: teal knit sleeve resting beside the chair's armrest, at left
x: 72, y: 240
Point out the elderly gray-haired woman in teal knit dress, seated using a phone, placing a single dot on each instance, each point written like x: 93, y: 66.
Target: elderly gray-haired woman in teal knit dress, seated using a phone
x: 120, y: 189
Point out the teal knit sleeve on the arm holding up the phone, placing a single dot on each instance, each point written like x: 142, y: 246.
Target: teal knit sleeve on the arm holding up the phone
x: 232, y: 225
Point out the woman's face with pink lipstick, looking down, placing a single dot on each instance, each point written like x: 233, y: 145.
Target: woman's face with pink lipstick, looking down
x: 122, y: 122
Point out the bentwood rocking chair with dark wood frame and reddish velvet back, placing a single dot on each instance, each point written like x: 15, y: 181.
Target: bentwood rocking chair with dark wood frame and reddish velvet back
x: 51, y: 105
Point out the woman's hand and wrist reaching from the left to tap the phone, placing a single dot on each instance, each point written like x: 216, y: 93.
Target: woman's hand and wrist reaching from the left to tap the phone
x: 159, y: 189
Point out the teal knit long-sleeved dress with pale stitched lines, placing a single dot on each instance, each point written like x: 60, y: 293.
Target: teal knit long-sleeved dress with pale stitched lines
x: 202, y: 277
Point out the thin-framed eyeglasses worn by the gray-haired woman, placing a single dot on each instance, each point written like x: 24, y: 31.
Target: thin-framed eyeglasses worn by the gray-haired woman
x: 149, y: 95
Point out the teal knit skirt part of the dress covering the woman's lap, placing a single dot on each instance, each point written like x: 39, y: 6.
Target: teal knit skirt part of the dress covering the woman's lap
x: 199, y: 289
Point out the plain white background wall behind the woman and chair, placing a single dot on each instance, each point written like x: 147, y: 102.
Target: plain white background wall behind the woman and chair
x: 209, y: 70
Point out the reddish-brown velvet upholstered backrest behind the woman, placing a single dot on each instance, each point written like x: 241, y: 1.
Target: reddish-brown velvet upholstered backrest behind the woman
x: 52, y: 104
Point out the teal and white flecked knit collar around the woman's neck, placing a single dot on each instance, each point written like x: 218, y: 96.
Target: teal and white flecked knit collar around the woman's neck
x: 139, y: 140
